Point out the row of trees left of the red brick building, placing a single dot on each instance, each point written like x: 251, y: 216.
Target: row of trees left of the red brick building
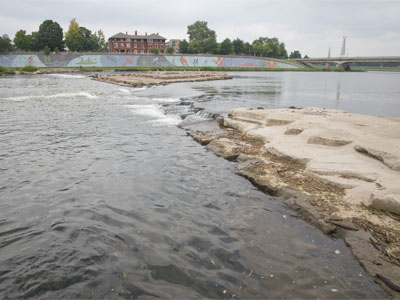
x: 50, y: 37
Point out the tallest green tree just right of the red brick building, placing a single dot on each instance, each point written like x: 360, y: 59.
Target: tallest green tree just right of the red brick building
x: 200, y: 36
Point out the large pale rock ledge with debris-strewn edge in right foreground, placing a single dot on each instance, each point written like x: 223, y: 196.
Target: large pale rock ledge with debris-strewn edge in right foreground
x: 340, y: 171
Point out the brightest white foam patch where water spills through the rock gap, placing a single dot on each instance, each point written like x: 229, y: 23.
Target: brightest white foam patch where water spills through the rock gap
x: 155, y: 113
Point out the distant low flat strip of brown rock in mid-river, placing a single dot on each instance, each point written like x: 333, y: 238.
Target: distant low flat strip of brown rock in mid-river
x: 148, y: 78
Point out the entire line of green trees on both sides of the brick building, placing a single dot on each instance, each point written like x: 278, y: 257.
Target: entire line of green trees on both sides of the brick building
x: 202, y: 39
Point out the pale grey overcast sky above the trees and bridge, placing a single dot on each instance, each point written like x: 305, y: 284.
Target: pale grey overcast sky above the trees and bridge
x: 372, y: 27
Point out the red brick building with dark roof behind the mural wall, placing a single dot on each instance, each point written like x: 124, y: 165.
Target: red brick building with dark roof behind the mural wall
x: 137, y: 44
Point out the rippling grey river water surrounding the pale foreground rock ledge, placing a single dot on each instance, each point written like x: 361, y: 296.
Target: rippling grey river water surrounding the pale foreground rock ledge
x: 103, y: 196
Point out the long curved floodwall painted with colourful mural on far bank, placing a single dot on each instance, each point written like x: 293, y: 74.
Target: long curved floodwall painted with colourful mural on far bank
x: 118, y: 60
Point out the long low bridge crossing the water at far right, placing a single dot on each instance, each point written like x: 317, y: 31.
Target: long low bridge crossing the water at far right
x: 344, y: 62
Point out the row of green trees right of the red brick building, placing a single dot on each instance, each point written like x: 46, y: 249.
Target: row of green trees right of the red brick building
x: 204, y: 40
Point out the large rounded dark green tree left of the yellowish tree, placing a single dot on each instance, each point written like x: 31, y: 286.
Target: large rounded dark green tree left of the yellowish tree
x: 50, y: 34
